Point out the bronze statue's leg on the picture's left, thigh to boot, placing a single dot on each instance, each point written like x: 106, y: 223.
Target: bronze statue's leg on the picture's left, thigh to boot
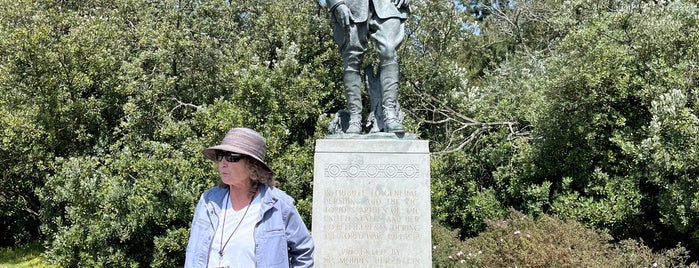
x: 353, y: 43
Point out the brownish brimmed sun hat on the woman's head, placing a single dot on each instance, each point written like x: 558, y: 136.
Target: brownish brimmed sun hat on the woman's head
x: 243, y: 141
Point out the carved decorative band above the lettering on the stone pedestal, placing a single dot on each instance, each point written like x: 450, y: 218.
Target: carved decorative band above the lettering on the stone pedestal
x: 371, y: 171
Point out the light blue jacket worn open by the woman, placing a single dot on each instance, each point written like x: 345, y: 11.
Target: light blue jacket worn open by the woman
x: 281, y: 237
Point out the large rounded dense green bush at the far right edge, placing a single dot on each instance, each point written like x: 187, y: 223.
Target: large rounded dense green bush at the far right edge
x: 617, y: 85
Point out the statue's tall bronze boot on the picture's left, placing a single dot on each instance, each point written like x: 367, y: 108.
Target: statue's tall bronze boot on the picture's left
x: 353, y: 92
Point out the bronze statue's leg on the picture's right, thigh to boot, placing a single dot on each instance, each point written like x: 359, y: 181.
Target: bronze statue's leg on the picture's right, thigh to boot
x: 388, y: 36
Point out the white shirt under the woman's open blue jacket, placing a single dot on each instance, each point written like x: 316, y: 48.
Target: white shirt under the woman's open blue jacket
x: 239, y: 252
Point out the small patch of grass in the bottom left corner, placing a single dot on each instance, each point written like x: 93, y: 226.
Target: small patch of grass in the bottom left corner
x: 25, y: 256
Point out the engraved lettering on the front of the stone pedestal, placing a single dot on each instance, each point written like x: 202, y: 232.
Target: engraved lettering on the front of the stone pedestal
x: 378, y: 215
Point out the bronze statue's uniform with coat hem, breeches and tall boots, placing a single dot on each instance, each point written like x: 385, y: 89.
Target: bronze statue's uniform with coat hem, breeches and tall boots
x: 383, y: 22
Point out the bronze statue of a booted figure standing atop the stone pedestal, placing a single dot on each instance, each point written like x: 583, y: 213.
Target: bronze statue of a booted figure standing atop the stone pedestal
x: 353, y: 22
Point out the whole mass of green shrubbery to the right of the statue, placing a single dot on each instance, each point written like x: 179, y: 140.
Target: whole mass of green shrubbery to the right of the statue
x: 602, y: 101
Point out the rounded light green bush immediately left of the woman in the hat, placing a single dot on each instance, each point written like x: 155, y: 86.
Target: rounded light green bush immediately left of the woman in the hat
x: 120, y: 208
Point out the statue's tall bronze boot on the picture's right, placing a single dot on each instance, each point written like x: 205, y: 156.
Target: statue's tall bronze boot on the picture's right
x: 388, y: 76
